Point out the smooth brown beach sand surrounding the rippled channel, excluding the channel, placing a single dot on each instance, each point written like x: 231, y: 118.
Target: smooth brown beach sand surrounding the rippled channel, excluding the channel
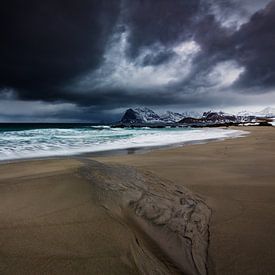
x: 234, y: 176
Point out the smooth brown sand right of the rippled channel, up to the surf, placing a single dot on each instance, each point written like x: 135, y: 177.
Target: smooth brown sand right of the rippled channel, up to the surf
x: 237, y: 179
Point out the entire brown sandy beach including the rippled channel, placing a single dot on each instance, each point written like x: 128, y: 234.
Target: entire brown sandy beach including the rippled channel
x: 78, y: 216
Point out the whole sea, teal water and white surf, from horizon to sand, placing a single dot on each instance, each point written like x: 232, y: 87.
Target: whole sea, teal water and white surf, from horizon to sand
x: 34, y: 140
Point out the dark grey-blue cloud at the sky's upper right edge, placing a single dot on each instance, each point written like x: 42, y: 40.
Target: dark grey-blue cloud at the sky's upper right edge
x: 255, y: 44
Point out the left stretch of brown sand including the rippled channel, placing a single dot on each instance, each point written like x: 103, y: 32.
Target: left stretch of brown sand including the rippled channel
x: 77, y: 216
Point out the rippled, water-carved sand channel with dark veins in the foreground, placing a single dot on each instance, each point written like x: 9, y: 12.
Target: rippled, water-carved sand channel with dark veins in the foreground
x: 165, y: 216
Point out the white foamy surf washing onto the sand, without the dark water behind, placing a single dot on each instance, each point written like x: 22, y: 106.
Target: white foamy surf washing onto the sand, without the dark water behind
x: 80, y: 143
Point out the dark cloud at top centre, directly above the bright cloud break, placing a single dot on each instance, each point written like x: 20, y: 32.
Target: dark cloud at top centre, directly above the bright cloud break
x: 164, y: 22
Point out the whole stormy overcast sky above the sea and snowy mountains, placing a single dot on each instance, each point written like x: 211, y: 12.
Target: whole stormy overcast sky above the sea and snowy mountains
x: 88, y: 60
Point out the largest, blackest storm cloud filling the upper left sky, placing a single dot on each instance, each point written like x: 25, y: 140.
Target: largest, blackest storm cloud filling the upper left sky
x: 46, y: 43
